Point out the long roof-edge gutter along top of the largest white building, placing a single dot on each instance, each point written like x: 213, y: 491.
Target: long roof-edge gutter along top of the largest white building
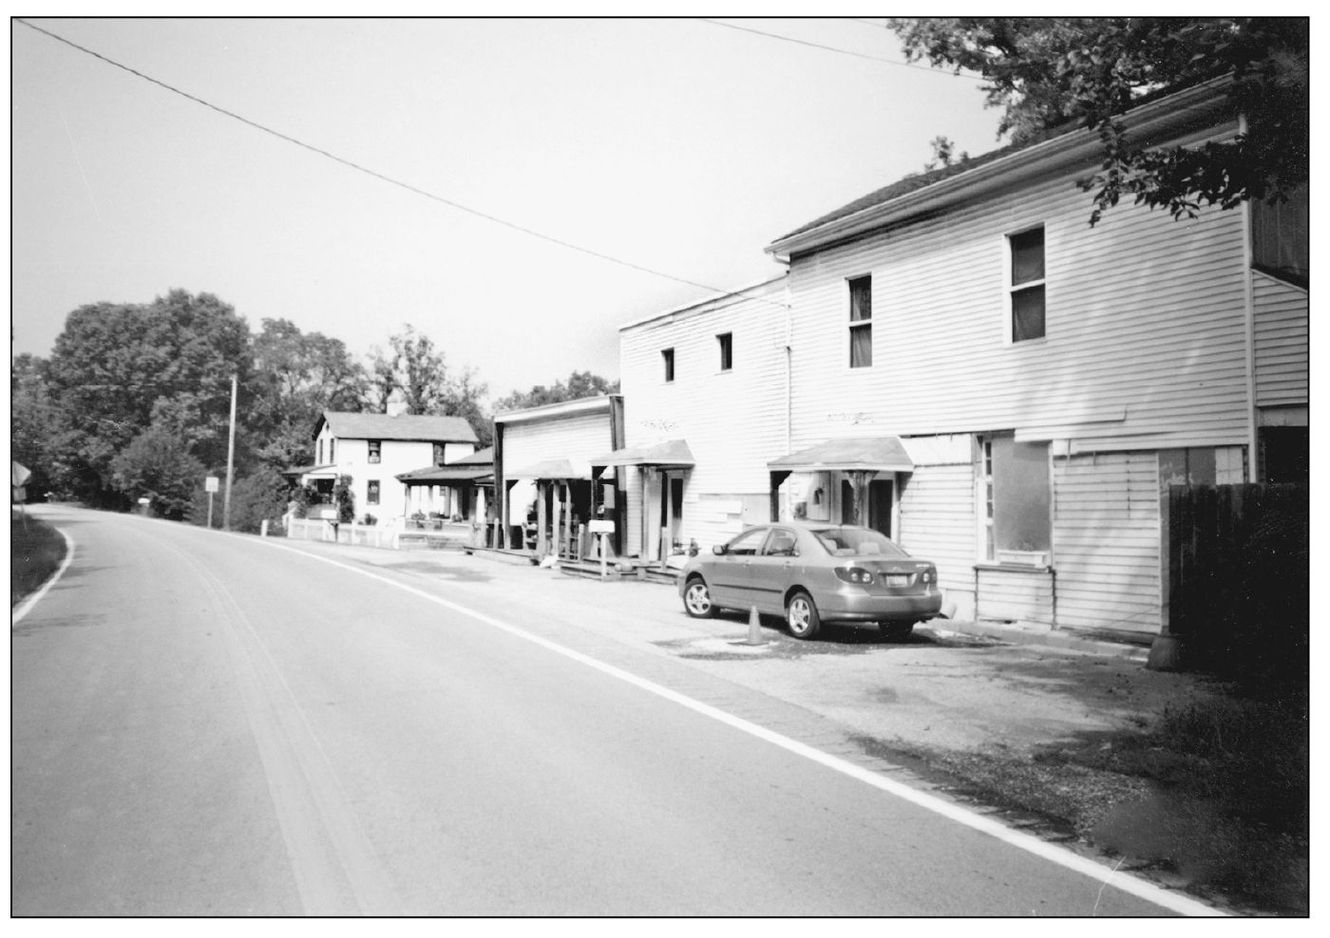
x: 1152, y: 123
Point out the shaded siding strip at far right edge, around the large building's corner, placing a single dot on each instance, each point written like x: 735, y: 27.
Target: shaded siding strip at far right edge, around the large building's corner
x: 1281, y: 343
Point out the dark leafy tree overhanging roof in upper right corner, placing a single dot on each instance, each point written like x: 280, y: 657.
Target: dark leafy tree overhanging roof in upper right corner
x: 1047, y: 73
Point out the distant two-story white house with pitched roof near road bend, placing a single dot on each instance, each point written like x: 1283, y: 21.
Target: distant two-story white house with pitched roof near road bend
x: 376, y: 449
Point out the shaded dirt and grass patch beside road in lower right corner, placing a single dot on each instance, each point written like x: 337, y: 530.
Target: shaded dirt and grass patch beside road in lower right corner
x: 1195, y: 787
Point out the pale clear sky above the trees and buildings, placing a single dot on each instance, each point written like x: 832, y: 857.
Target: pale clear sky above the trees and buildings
x: 682, y: 147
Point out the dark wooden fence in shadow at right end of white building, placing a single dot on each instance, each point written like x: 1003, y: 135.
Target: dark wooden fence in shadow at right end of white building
x: 1239, y: 573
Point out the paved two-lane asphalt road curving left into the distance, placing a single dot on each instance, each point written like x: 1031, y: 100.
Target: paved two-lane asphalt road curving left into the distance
x: 216, y: 724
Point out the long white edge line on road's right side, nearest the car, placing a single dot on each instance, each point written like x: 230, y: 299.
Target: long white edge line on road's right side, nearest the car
x: 1051, y: 852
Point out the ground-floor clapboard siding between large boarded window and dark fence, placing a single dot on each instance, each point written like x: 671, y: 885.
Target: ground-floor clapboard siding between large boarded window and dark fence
x: 1107, y: 542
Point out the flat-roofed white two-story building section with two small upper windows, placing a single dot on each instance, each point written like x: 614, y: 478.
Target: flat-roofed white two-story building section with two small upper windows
x: 706, y: 388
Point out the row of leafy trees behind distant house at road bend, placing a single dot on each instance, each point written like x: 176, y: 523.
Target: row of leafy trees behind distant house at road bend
x: 135, y: 402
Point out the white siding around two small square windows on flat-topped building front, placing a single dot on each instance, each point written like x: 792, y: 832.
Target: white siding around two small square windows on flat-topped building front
x: 732, y: 421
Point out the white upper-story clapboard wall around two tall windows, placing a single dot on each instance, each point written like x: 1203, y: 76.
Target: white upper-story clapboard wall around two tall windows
x: 1146, y: 328
